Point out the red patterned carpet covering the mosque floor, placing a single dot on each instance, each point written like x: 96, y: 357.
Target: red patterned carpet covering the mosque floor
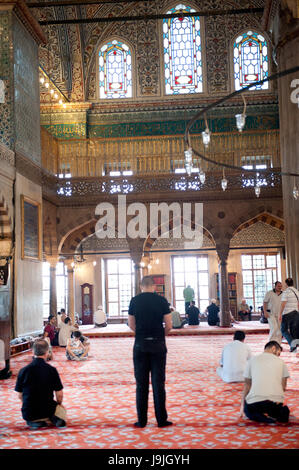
x: 100, y: 399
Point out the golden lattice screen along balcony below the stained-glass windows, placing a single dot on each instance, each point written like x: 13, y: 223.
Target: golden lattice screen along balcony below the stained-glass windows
x: 155, y: 155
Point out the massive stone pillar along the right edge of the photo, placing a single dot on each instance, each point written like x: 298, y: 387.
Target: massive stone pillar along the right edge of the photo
x: 285, y: 28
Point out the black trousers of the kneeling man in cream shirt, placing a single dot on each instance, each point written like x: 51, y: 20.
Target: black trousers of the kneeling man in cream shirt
x: 256, y: 411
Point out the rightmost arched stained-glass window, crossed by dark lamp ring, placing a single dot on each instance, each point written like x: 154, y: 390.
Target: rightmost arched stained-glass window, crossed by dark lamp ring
x: 250, y: 60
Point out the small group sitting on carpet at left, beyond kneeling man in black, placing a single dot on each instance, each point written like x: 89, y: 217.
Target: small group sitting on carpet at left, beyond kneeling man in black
x: 67, y: 335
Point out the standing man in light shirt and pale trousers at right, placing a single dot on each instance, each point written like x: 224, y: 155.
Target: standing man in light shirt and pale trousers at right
x: 271, y: 306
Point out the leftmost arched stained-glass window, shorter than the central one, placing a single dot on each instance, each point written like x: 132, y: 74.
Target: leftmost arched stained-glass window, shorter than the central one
x: 115, y: 70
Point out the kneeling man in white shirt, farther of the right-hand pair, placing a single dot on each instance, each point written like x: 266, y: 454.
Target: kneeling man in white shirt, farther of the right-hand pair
x: 234, y: 358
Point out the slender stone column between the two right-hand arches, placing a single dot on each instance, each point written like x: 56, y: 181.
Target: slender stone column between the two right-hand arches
x: 223, y: 288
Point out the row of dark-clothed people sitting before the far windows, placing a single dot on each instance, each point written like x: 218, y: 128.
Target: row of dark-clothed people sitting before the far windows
x: 192, y: 315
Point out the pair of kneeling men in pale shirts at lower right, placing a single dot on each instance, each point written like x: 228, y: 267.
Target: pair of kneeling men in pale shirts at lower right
x: 264, y: 376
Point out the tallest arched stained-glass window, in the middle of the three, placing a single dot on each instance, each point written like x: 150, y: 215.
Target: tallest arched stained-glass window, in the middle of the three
x: 182, y: 52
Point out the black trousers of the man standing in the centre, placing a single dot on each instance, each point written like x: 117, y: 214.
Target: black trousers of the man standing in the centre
x: 149, y: 357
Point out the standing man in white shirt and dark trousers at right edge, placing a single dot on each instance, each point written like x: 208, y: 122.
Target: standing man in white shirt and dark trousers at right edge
x: 289, y: 314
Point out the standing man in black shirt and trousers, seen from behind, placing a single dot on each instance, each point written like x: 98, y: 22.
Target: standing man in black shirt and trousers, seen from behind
x: 147, y: 313
